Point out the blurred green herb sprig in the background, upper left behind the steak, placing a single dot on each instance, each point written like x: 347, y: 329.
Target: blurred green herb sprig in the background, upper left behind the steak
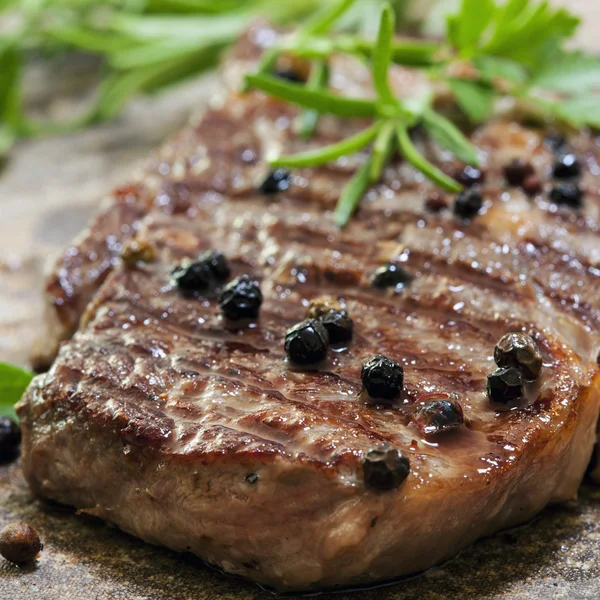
x: 142, y: 45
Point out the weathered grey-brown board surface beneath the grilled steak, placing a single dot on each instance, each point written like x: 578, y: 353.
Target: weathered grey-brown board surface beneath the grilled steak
x: 47, y: 192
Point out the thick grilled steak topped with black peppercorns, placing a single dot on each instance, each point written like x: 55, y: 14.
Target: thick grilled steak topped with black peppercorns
x: 312, y: 407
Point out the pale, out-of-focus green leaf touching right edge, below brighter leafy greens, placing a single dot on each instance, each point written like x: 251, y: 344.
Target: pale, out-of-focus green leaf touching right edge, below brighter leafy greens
x: 568, y: 73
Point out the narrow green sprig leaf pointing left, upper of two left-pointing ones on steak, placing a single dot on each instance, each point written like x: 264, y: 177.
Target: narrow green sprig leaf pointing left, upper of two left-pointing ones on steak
x: 322, y: 102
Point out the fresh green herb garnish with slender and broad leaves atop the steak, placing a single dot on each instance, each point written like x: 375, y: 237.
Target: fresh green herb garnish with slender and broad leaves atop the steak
x: 512, y: 50
